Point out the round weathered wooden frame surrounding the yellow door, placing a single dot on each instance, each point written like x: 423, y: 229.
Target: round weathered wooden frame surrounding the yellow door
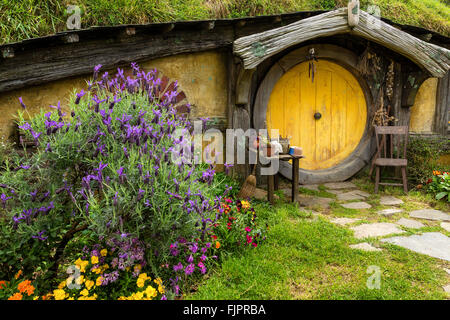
x: 361, y: 156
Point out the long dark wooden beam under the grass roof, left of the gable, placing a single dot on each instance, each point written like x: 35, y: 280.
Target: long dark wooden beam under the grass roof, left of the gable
x: 57, y: 62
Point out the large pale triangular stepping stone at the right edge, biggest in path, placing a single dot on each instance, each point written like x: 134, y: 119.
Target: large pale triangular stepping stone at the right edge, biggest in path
x: 433, y: 244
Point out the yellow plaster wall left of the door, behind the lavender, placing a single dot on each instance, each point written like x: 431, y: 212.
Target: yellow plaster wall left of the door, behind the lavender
x: 202, y: 76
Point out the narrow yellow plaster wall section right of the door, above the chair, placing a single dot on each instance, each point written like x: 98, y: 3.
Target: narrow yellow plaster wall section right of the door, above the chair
x: 422, y: 113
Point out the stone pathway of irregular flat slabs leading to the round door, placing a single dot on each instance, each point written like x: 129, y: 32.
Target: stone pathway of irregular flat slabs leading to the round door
x: 433, y: 244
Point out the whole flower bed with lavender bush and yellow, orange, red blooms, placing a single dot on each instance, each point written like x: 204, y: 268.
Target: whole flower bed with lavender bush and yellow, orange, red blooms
x: 101, y: 199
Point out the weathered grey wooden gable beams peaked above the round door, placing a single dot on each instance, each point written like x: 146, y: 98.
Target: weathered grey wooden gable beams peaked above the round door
x: 258, y: 47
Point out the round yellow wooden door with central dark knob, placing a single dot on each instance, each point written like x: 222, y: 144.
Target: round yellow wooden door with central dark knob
x: 327, y: 117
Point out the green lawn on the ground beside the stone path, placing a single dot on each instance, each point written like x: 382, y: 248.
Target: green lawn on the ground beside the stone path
x: 305, y: 258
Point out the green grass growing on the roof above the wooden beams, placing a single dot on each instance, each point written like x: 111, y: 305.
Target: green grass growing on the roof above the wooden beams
x: 24, y: 19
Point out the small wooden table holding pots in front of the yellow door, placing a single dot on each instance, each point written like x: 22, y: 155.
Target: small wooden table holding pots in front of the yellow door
x: 272, y: 180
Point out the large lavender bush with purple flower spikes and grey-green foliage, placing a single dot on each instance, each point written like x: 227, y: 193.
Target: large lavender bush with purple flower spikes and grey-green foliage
x: 105, y: 168
